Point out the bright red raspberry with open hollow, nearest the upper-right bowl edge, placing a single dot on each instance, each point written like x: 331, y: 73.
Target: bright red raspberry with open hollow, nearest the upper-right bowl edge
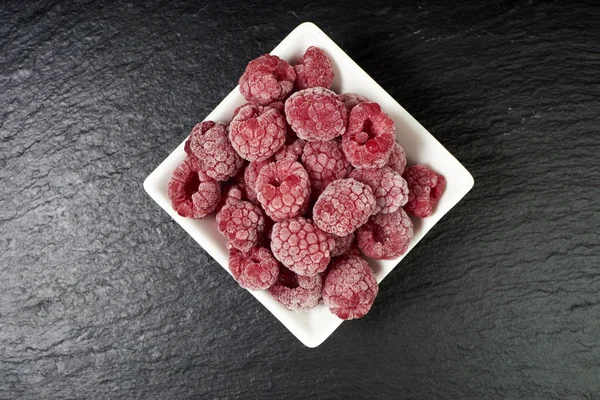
x: 370, y: 136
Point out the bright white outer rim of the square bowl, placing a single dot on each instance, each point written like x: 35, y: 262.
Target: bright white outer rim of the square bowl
x: 212, y: 244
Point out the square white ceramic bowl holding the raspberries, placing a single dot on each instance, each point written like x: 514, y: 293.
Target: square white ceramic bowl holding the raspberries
x: 313, y: 327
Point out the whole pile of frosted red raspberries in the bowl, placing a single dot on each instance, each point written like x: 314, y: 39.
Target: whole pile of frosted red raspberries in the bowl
x: 304, y: 183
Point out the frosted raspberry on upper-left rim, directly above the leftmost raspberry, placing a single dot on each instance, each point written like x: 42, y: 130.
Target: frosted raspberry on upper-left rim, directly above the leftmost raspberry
x: 210, y: 150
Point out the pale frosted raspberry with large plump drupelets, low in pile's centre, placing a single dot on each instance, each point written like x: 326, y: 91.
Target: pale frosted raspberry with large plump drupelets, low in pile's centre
x: 301, y: 246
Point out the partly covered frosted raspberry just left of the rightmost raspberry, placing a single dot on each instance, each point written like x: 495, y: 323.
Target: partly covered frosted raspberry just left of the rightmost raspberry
x: 389, y: 188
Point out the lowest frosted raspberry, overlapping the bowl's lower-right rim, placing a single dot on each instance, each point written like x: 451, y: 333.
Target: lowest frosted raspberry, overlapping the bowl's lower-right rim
x: 350, y: 287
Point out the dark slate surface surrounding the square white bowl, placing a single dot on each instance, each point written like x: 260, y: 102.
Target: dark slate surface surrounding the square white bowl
x: 103, y: 296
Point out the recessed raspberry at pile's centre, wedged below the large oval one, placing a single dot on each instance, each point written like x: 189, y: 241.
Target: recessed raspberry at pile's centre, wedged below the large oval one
x: 325, y: 162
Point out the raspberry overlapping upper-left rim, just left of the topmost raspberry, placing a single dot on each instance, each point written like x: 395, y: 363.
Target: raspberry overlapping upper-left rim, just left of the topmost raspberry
x: 267, y: 79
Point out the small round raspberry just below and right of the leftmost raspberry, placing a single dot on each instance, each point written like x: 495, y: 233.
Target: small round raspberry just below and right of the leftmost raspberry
x: 242, y: 223
